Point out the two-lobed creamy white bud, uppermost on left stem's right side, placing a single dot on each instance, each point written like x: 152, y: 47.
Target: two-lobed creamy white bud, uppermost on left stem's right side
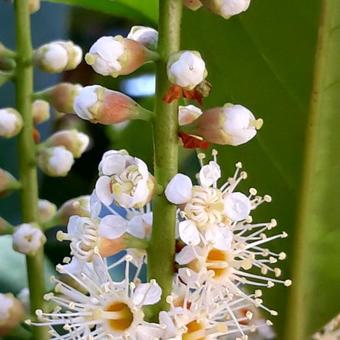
x: 58, y: 56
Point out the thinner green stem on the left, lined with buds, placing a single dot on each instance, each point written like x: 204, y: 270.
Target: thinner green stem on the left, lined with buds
x: 28, y: 170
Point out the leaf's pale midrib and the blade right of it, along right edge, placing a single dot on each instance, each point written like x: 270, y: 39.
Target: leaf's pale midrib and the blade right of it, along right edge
x: 315, y: 259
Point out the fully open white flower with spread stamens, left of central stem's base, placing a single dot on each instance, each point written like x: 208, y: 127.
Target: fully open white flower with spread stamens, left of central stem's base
x: 102, y: 308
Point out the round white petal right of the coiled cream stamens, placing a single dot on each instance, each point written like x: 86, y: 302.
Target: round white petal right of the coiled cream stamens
x: 237, y: 206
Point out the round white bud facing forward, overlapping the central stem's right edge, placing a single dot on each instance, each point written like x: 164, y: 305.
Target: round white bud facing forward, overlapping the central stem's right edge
x: 186, y: 69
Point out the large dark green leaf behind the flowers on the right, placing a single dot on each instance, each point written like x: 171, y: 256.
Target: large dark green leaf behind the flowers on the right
x: 264, y: 60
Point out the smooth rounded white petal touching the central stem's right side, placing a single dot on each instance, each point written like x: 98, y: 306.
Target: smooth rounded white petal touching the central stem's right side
x: 179, y: 189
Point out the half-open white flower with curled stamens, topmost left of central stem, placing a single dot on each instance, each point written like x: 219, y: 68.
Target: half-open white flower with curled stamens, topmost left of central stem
x: 124, y: 179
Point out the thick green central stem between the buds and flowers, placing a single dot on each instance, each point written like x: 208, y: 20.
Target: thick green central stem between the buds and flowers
x: 161, y: 250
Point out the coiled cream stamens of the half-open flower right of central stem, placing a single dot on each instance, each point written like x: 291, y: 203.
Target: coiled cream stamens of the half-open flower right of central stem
x: 206, y: 206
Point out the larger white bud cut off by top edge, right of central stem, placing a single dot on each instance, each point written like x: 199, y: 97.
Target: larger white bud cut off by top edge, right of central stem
x: 226, y: 8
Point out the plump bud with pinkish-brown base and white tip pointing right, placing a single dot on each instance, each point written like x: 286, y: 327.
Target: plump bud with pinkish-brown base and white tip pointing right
x: 230, y: 124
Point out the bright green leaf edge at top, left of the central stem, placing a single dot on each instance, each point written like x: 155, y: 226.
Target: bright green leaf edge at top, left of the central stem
x: 145, y: 10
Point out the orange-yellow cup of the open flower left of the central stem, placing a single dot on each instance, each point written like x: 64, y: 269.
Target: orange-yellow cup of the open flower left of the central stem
x: 119, y: 316
